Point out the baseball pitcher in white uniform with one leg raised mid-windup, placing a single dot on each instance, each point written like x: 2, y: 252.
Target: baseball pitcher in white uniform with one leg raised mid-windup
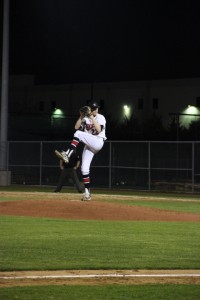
x: 90, y: 130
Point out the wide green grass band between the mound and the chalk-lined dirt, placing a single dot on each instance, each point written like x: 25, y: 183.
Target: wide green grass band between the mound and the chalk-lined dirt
x: 42, y: 243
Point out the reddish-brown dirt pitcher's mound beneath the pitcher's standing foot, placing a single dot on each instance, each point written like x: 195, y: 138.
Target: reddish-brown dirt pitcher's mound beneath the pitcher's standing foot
x: 69, y: 206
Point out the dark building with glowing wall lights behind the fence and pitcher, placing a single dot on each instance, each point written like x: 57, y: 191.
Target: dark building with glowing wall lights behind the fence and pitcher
x: 39, y: 112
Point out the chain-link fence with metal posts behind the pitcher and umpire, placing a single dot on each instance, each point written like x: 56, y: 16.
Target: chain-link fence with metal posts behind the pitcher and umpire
x: 141, y: 165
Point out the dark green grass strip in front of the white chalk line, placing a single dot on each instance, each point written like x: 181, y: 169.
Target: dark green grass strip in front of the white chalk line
x: 107, y: 292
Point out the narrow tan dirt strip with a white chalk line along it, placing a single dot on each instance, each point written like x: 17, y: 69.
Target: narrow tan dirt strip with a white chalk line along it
x: 99, y: 277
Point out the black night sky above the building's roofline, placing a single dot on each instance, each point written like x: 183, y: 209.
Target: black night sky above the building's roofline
x: 63, y: 41
